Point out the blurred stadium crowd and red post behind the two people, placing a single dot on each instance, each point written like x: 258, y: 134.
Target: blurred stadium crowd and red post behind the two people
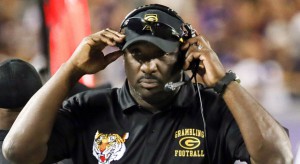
x: 258, y: 39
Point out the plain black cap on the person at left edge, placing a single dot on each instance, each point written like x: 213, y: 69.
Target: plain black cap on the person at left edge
x: 19, y: 80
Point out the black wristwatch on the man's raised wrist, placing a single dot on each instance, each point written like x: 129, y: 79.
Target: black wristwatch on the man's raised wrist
x: 221, y: 85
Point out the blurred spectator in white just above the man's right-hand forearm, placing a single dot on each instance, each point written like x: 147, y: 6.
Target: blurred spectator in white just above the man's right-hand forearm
x: 261, y: 74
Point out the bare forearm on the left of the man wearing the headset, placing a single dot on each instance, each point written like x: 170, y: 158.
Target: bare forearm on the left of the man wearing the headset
x: 32, y: 129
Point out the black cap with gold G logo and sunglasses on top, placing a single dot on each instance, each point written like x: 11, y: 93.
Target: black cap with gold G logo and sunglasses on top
x: 157, y: 14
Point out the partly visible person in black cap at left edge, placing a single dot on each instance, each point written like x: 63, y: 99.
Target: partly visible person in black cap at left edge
x: 18, y: 82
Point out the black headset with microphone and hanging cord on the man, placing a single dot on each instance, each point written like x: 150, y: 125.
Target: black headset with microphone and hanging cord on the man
x: 188, y: 32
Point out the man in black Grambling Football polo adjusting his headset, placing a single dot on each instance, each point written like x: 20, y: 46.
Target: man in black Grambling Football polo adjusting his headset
x: 142, y: 122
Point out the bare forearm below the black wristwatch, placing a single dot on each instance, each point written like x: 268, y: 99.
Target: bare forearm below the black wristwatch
x: 265, y: 139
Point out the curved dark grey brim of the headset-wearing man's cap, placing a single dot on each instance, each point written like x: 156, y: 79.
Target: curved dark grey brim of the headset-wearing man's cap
x: 163, y: 44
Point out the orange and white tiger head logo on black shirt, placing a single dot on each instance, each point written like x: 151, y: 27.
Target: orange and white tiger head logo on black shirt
x: 109, y: 147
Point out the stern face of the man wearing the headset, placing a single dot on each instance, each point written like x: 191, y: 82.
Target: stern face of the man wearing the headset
x: 148, y: 69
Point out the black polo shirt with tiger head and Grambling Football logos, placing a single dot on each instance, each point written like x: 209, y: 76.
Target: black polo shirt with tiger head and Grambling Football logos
x: 108, y: 126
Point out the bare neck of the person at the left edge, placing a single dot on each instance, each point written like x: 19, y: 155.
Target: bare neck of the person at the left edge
x: 7, y: 118
